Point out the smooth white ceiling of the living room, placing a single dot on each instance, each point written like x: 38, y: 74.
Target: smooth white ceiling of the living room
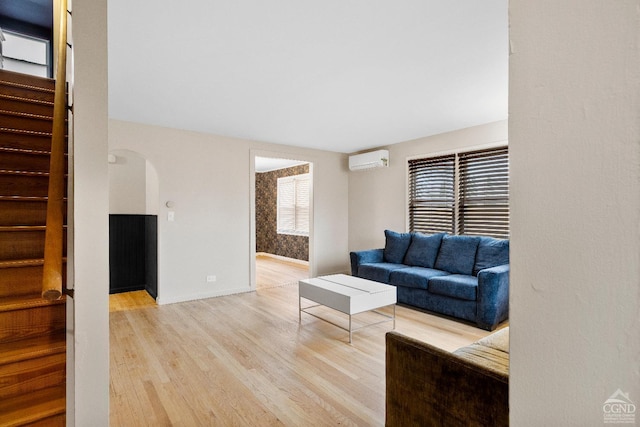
x: 336, y: 75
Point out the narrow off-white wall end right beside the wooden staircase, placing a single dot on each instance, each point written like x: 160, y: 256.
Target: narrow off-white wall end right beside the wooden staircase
x: 88, y: 371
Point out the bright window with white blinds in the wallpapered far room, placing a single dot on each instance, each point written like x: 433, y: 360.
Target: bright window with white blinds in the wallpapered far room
x: 293, y: 205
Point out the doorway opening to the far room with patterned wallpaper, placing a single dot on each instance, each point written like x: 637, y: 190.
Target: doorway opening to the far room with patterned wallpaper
x: 282, y: 221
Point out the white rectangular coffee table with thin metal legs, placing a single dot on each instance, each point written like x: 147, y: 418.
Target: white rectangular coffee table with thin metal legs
x: 349, y: 295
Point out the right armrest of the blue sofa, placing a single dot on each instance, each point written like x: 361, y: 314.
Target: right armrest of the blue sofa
x: 493, y: 296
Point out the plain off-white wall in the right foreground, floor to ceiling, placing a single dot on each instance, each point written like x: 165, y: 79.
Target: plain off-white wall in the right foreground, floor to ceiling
x: 574, y: 134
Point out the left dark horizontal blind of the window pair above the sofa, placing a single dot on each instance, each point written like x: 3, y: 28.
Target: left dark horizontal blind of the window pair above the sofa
x: 432, y: 194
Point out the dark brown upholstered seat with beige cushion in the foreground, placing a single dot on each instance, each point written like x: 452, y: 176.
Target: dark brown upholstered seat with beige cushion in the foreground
x: 427, y: 386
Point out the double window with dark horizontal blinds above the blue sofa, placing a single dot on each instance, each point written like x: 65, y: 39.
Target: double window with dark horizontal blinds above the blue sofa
x: 462, y: 193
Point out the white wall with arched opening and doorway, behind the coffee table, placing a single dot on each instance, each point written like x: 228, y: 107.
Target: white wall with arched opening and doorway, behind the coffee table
x: 208, y: 179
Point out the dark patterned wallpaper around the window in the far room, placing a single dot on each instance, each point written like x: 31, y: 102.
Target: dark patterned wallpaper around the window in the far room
x: 267, y: 238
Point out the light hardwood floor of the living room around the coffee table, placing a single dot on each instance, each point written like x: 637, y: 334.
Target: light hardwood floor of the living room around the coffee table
x: 245, y: 360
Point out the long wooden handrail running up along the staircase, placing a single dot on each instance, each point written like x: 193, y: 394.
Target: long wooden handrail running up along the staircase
x: 52, y: 269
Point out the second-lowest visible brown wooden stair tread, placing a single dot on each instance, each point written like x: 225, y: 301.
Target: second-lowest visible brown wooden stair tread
x: 32, y: 348
